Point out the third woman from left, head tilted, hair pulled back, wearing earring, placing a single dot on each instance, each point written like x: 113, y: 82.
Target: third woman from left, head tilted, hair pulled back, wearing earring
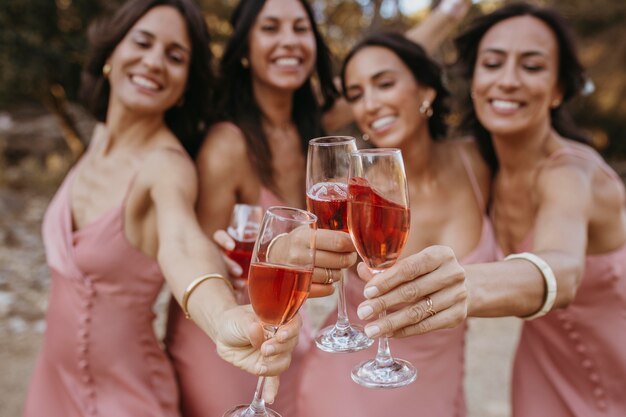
x: 398, y: 100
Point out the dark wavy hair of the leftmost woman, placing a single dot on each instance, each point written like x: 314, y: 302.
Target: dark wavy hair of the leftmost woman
x: 188, y: 121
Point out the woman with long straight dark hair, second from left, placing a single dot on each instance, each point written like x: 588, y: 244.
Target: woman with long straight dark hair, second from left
x: 271, y: 109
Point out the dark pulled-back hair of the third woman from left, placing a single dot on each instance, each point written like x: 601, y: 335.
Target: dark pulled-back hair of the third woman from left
x: 425, y: 71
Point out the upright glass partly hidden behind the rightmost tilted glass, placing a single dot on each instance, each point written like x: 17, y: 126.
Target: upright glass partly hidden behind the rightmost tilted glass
x: 327, y: 197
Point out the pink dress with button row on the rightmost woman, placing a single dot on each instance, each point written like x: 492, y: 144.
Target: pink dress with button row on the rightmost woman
x: 572, y: 361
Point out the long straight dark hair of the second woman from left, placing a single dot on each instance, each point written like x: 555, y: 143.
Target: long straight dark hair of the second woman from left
x: 237, y: 104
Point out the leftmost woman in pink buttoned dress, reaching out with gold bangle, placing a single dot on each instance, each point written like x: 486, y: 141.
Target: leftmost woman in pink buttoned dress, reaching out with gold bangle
x: 117, y: 227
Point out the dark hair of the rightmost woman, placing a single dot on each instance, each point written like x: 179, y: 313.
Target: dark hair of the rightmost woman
x: 571, y: 72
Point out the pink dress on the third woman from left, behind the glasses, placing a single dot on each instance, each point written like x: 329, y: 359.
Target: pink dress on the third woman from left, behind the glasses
x: 328, y: 390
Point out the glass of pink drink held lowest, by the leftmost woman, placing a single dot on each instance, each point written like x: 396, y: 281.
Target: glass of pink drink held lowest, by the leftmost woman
x: 279, y: 281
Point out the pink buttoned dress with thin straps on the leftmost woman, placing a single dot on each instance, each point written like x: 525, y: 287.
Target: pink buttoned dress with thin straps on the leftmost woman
x: 100, y: 356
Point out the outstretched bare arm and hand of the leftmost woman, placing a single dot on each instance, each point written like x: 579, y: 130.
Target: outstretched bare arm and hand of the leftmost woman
x: 185, y: 253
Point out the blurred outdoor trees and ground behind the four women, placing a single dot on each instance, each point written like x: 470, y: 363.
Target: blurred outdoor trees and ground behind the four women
x: 43, y: 131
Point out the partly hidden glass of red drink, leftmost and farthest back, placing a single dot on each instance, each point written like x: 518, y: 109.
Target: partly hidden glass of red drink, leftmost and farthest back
x: 243, y: 229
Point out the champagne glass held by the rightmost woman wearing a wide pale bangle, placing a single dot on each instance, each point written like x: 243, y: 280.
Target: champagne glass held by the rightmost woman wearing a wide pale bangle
x: 378, y: 219
